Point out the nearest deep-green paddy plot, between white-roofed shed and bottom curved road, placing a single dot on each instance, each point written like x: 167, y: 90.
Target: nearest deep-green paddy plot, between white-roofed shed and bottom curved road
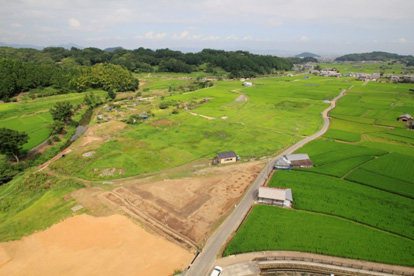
x: 271, y: 228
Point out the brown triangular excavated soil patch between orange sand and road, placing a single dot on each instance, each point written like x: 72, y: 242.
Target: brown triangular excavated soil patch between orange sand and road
x: 188, y: 206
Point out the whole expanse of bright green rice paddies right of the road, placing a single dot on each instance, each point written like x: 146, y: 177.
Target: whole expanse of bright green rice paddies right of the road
x: 363, y: 177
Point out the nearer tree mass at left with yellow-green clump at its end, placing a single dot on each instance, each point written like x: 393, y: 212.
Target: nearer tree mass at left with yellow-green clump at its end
x: 17, y: 76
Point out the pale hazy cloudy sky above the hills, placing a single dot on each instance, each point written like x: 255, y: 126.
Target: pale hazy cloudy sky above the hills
x: 325, y: 27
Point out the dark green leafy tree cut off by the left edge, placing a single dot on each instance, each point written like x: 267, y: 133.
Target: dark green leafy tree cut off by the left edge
x: 11, y: 142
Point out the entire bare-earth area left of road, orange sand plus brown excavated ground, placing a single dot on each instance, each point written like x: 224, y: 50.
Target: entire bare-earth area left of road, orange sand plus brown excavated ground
x: 136, y: 226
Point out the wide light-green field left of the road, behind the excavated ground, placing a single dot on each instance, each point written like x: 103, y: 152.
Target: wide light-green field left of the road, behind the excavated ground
x: 268, y: 118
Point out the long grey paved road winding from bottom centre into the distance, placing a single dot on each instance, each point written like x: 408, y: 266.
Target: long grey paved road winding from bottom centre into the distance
x: 203, y: 264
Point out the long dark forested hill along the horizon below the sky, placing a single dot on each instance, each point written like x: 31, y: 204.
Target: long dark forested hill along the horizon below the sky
x: 237, y: 63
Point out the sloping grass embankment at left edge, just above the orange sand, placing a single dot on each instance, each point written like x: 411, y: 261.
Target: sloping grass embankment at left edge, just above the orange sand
x: 34, y: 202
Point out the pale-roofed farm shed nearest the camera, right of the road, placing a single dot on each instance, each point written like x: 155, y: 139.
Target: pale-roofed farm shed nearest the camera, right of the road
x: 275, y: 196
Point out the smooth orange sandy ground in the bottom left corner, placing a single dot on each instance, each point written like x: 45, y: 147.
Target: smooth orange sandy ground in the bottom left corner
x: 86, y: 245
